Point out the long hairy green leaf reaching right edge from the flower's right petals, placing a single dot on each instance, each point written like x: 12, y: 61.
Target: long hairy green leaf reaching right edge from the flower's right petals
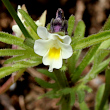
x: 91, y: 40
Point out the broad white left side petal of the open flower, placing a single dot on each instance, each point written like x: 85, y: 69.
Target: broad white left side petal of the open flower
x: 42, y: 46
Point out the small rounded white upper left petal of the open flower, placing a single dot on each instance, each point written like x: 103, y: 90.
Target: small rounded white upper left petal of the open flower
x: 42, y: 32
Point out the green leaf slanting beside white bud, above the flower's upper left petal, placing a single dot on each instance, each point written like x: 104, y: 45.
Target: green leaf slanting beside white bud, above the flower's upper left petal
x: 28, y: 19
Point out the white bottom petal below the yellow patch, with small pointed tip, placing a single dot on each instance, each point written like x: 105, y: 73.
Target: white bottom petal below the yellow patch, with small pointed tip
x: 53, y: 63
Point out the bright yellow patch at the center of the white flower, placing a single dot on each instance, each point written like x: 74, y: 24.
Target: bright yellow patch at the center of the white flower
x: 54, y: 53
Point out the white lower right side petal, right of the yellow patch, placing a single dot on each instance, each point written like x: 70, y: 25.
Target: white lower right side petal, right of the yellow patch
x: 66, y: 50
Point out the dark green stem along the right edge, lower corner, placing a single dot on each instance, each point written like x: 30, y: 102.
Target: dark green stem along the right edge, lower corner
x: 107, y: 89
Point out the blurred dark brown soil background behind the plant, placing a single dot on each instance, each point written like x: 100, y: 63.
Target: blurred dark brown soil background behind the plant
x: 23, y: 94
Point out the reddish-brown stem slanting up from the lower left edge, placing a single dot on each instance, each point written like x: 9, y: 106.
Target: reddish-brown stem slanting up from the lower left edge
x: 10, y: 81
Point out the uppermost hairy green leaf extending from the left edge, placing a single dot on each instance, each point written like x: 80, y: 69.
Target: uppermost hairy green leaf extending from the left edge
x: 10, y: 39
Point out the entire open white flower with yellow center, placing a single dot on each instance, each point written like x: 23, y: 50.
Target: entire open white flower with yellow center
x: 53, y: 48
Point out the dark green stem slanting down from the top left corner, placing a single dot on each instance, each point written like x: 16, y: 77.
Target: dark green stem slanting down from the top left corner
x: 15, y: 17
